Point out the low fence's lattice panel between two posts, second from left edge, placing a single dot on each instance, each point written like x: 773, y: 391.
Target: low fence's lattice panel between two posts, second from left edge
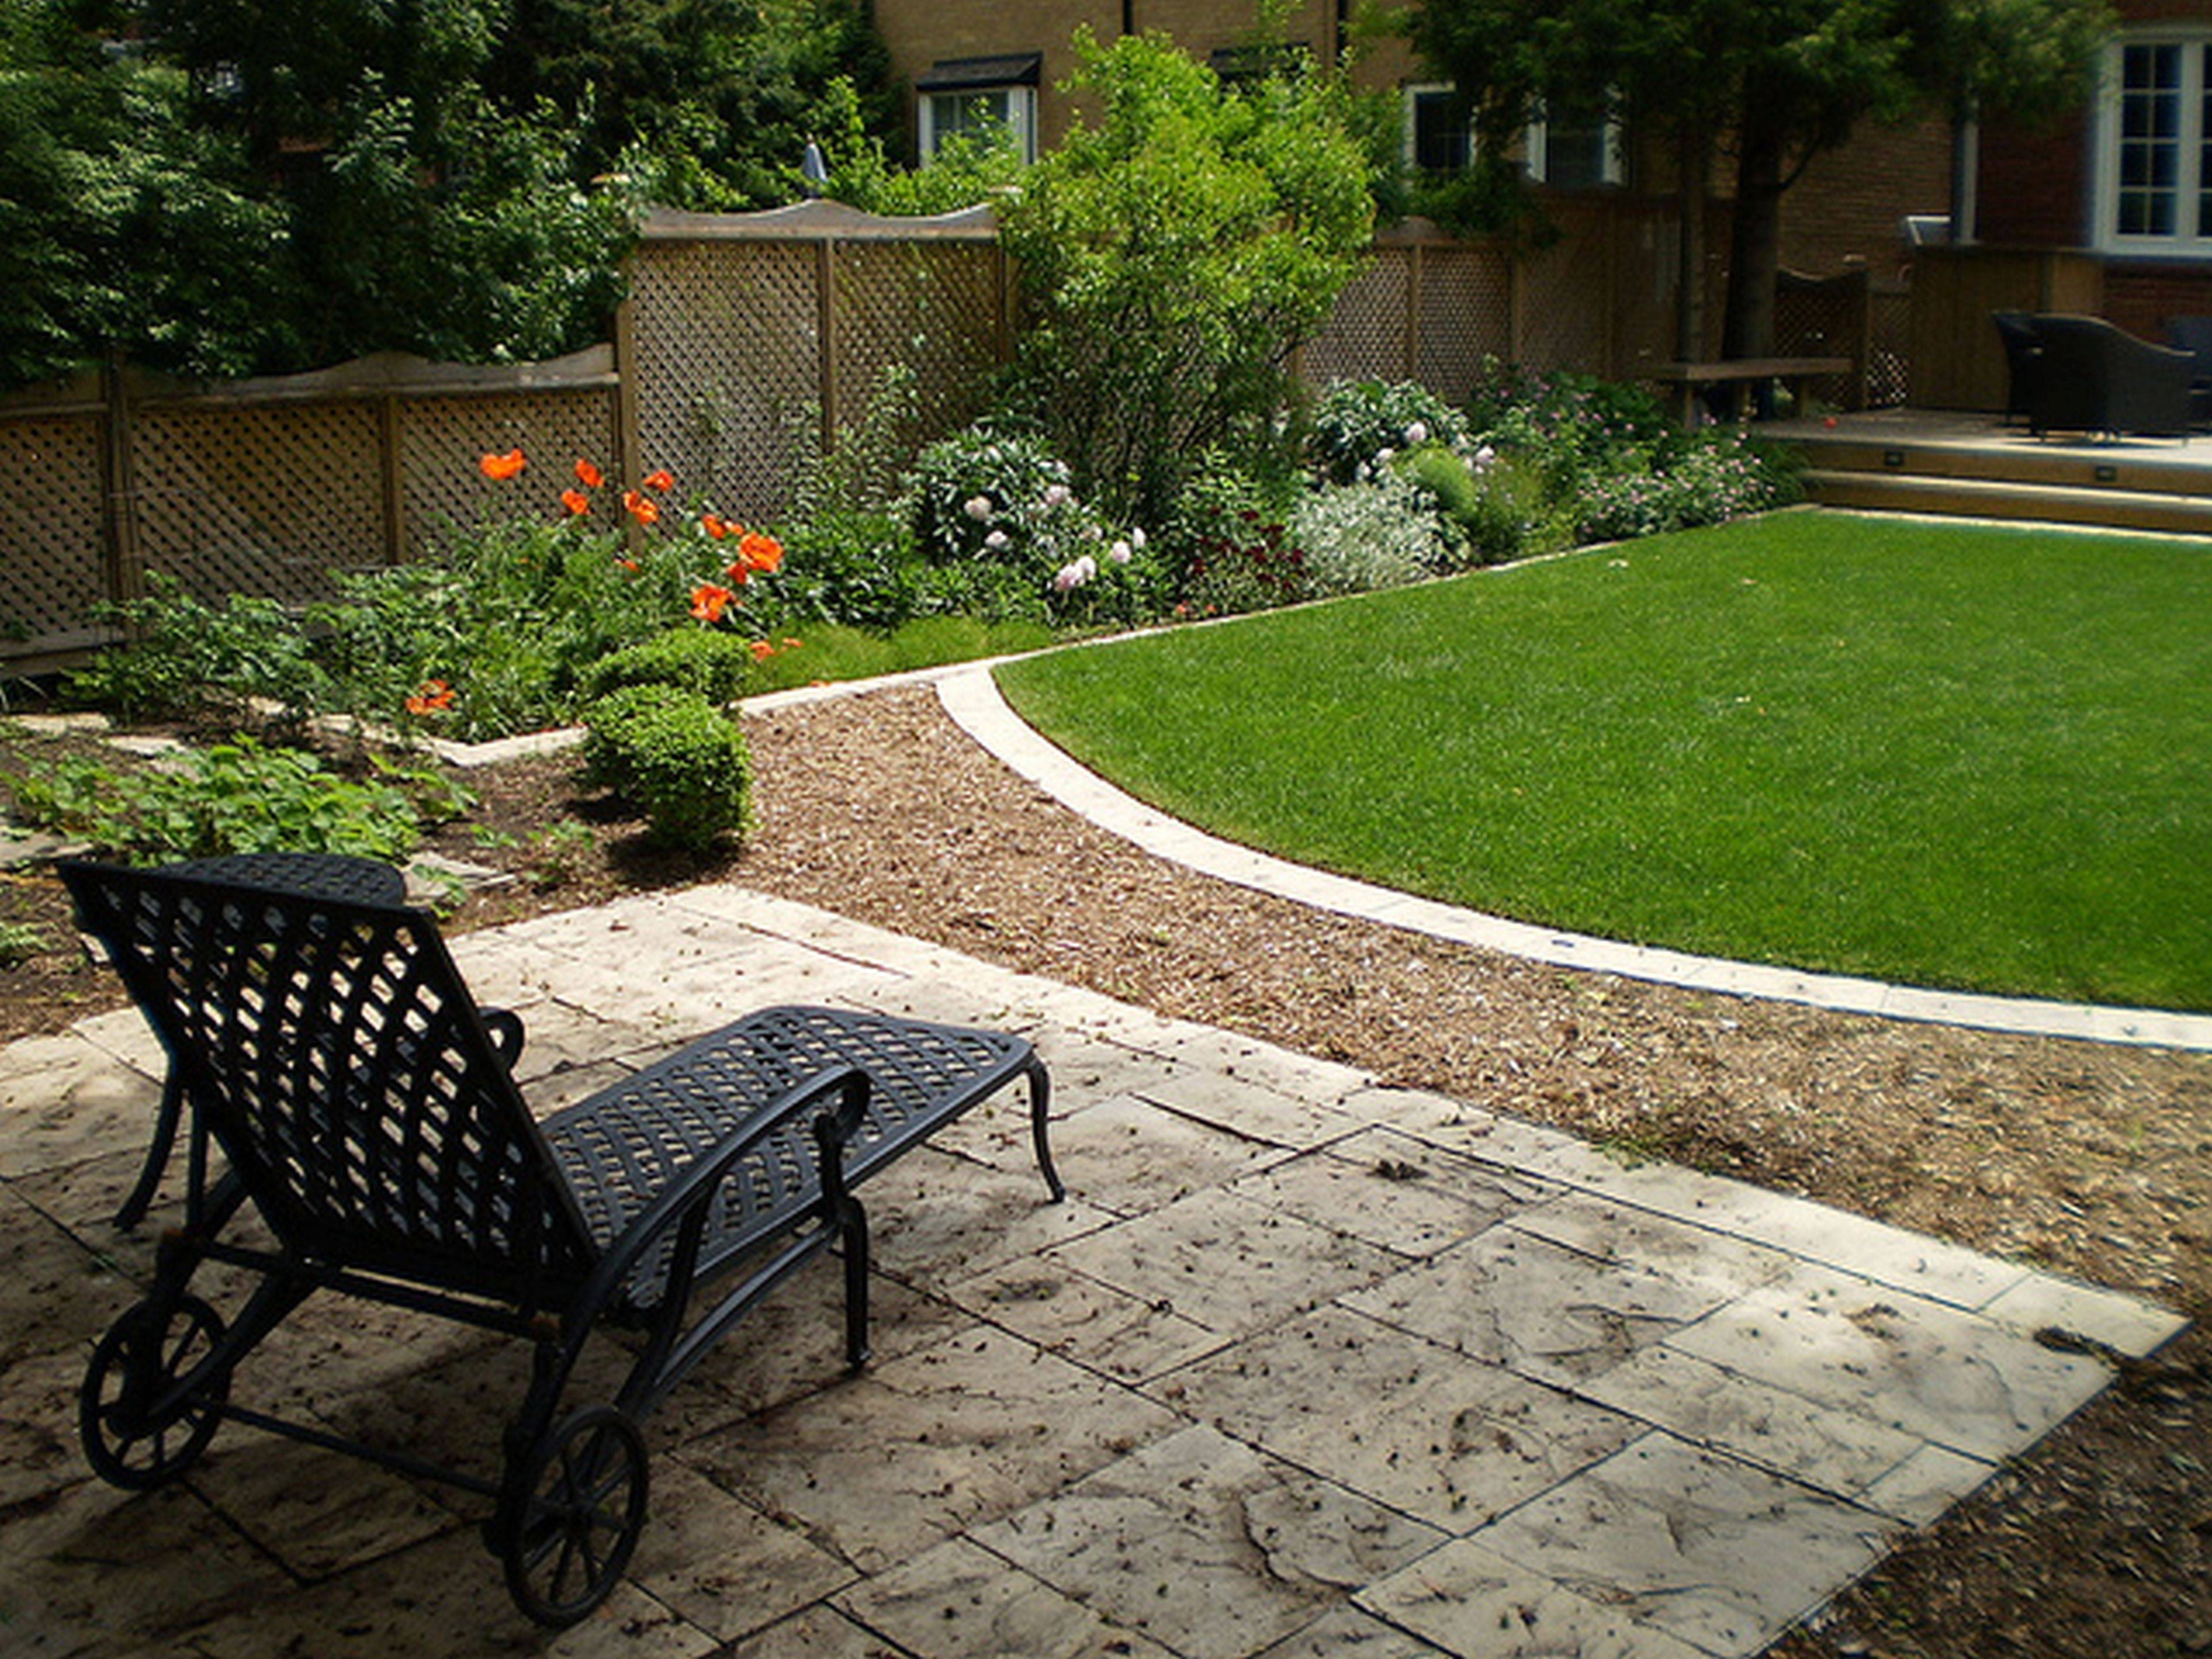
x: 258, y: 501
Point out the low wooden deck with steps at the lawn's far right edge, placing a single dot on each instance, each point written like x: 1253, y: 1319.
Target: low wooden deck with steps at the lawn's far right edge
x: 1970, y: 466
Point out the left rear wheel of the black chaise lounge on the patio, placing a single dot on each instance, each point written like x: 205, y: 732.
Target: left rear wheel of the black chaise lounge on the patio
x: 134, y: 1437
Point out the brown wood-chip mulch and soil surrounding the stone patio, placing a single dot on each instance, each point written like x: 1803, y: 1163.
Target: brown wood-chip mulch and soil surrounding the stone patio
x: 2078, y: 1158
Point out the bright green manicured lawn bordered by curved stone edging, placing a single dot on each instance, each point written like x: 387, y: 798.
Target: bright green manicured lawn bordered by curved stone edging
x: 1930, y: 753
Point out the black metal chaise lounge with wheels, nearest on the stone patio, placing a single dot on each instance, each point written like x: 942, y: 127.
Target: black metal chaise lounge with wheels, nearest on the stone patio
x: 368, y: 1116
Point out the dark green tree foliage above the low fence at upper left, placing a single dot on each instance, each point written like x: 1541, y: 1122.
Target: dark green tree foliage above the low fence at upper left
x: 231, y: 187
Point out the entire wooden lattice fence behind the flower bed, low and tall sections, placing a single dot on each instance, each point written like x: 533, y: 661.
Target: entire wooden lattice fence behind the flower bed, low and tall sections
x: 747, y: 344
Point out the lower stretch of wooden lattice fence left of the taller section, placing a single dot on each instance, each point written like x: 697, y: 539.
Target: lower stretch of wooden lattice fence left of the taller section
x: 260, y: 488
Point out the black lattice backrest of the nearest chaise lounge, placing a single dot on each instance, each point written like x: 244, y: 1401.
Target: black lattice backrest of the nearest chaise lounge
x: 348, y: 1076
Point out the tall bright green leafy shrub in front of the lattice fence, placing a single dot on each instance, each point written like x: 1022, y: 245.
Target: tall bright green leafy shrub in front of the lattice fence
x: 1173, y: 251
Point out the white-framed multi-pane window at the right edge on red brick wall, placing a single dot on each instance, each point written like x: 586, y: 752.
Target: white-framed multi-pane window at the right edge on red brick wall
x: 2153, y: 136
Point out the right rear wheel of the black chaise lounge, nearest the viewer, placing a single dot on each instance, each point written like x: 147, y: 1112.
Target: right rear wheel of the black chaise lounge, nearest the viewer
x: 583, y: 1496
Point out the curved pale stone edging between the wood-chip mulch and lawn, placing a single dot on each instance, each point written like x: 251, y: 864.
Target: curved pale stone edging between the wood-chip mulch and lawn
x: 974, y: 702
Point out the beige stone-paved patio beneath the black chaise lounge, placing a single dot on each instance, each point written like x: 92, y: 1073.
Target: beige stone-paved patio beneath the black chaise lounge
x: 1304, y: 1366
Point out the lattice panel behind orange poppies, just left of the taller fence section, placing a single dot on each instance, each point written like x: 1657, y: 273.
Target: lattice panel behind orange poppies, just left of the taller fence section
x: 444, y: 439
